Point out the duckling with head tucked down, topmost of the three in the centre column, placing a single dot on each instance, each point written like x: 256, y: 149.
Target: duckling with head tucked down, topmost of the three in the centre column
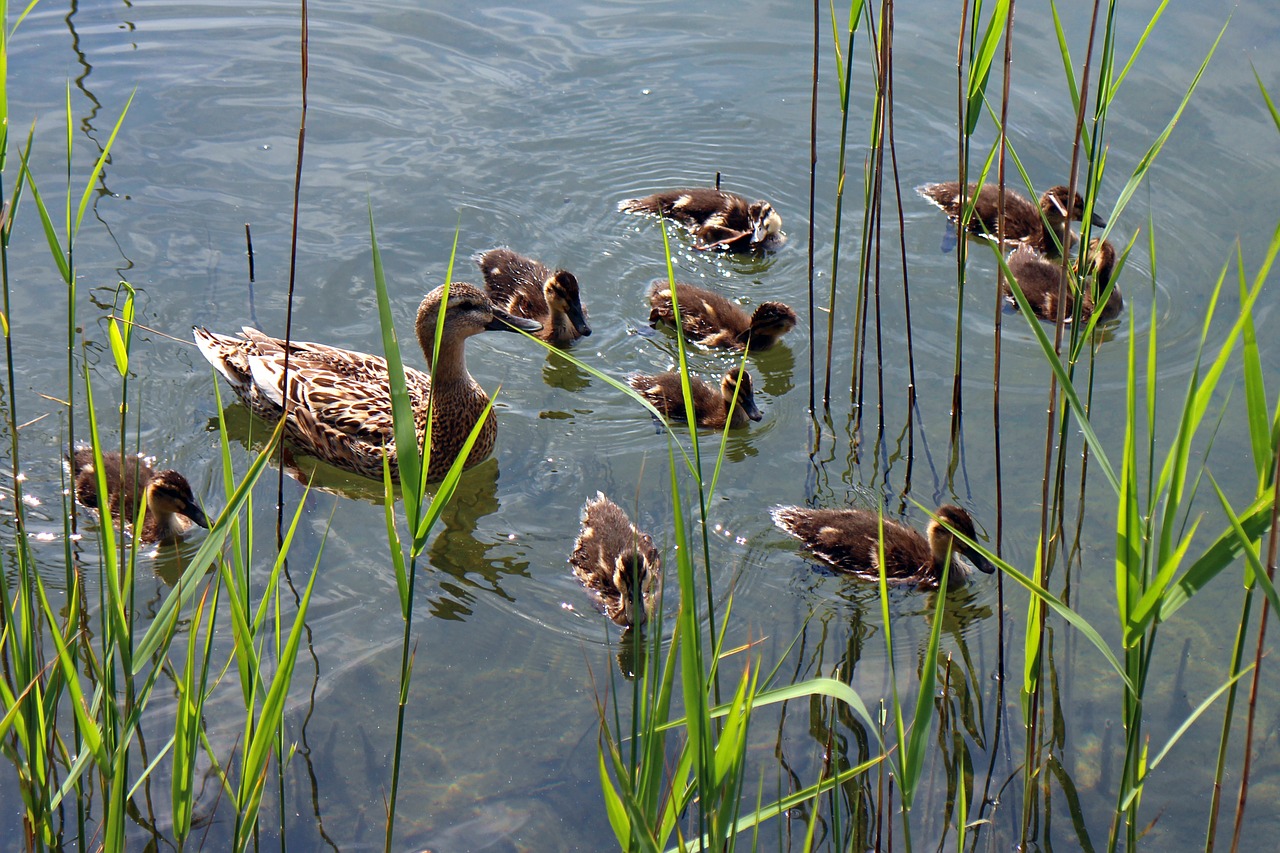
x: 716, y: 218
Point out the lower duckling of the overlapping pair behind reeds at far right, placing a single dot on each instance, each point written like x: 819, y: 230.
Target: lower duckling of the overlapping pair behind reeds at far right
x: 1040, y: 279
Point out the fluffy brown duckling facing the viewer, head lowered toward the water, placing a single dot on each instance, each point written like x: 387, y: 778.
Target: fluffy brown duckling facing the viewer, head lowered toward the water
x: 615, y: 562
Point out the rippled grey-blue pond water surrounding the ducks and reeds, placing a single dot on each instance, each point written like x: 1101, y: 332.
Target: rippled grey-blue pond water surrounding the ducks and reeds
x: 524, y: 125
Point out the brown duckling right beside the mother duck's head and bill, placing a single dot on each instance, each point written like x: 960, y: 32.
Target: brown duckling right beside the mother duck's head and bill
x: 527, y: 289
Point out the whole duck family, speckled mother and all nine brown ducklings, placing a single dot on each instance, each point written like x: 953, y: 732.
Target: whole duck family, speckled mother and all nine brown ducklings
x: 336, y: 404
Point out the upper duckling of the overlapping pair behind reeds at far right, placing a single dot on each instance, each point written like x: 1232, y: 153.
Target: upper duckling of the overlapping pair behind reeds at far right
x: 1025, y: 221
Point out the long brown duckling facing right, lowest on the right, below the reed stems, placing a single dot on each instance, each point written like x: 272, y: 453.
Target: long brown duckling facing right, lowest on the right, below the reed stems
x: 849, y: 540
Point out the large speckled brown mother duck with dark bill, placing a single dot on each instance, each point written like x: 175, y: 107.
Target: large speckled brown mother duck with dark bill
x: 340, y: 400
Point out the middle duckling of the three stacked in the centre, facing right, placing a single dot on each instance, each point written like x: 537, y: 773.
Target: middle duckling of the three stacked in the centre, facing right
x: 712, y: 321
